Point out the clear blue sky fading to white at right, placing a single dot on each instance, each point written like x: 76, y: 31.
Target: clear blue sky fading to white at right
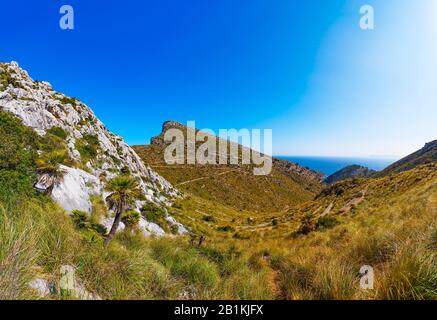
x: 302, y: 68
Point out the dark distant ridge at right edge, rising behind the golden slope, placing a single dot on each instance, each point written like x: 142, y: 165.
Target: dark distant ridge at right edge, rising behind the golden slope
x: 428, y: 154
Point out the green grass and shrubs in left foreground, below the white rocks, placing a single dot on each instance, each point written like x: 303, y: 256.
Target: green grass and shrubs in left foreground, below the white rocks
x: 37, y: 238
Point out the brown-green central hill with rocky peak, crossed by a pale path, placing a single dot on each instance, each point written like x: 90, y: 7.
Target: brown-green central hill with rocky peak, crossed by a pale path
x: 235, y: 185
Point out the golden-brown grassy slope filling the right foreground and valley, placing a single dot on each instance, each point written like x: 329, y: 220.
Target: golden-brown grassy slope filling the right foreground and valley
x: 315, y: 250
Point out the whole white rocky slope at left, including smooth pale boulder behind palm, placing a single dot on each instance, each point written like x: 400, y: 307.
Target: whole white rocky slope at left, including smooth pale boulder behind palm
x: 90, y: 153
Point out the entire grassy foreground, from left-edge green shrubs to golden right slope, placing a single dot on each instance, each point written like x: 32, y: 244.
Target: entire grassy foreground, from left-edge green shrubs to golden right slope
x: 291, y: 254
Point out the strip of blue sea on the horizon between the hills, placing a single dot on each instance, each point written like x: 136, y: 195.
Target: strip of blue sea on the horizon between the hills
x: 329, y: 165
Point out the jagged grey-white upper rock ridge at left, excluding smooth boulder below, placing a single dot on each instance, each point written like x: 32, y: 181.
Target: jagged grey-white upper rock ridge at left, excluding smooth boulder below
x: 42, y: 108
